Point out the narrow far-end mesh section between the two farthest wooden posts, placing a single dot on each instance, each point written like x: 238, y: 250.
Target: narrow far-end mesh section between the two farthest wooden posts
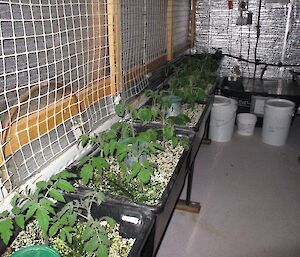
x: 181, y: 25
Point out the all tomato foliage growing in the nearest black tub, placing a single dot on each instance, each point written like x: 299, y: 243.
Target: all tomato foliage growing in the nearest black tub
x: 58, y: 219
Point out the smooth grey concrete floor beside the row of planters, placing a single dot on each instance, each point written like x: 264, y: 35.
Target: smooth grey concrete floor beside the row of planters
x: 250, y: 198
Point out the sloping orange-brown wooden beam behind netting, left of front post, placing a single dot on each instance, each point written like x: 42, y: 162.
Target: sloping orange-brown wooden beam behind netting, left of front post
x: 30, y: 127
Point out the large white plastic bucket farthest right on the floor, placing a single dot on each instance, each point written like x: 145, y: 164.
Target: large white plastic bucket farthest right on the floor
x: 277, y: 120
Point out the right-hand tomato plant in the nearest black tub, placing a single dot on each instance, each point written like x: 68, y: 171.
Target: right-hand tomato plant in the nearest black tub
x: 90, y: 235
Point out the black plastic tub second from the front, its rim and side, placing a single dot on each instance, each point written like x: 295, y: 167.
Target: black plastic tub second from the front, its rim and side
x: 161, y: 212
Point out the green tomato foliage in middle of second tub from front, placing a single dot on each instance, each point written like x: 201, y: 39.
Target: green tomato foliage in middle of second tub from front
x: 129, y: 151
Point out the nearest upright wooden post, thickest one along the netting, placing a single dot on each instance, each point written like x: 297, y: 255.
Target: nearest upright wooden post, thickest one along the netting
x: 115, y: 44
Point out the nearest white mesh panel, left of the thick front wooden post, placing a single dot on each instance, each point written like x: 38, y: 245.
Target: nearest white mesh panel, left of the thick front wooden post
x: 56, y: 79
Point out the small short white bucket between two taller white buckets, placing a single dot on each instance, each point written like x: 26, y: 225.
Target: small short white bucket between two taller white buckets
x: 246, y: 123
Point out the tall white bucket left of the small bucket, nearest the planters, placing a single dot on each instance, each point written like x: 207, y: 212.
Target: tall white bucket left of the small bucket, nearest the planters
x: 222, y: 119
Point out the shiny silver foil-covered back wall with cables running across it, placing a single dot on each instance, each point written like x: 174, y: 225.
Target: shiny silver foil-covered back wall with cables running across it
x: 216, y: 28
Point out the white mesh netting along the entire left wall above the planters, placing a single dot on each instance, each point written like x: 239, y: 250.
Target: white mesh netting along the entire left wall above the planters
x: 61, y: 65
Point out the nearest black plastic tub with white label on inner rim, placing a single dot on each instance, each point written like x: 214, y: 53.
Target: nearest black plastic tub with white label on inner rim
x: 134, y: 223
